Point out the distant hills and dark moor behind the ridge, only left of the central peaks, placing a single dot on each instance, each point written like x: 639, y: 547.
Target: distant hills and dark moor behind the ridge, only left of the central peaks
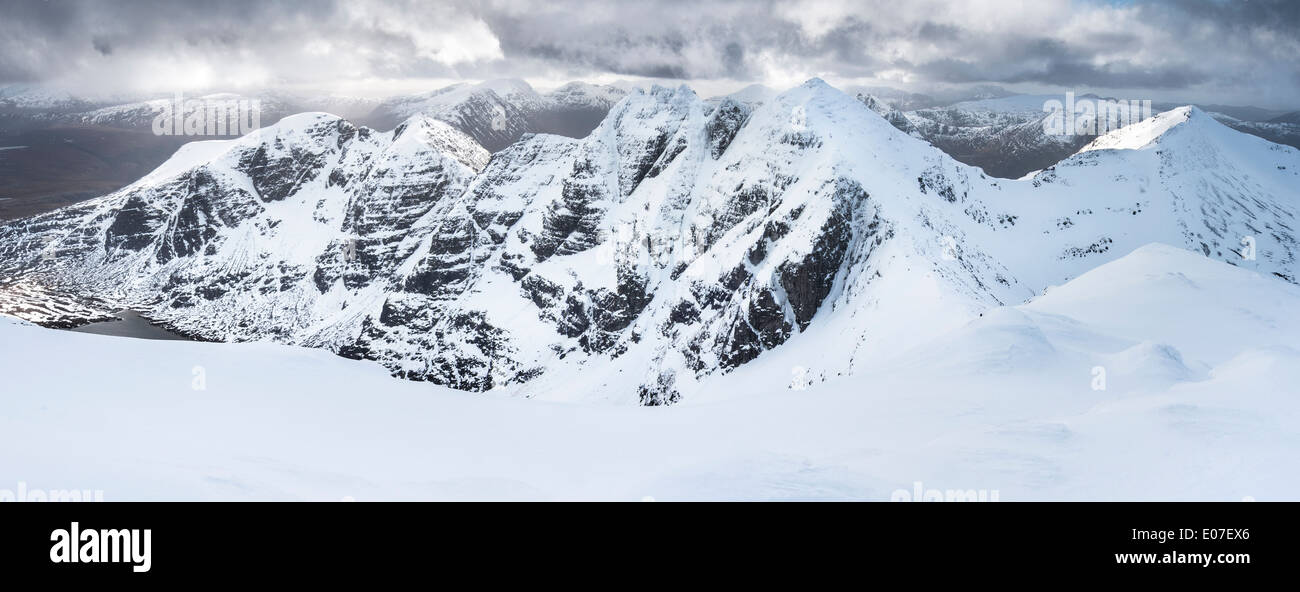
x: 67, y: 149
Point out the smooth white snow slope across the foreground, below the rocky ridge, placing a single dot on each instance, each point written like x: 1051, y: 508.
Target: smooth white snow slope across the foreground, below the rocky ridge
x: 1202, y: 369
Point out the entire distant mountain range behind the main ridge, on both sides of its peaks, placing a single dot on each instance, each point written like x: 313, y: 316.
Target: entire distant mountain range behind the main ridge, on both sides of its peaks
x: 77, y: 148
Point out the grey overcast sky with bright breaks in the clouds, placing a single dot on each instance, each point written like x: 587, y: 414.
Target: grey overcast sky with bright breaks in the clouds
x: 1232, y: 53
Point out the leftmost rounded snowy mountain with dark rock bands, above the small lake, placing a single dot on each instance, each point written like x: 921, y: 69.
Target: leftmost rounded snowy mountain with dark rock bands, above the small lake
x: 275, y: 236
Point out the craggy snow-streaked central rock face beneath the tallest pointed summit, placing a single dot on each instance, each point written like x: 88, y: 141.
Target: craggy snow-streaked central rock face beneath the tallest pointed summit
x: 681, y: 240
